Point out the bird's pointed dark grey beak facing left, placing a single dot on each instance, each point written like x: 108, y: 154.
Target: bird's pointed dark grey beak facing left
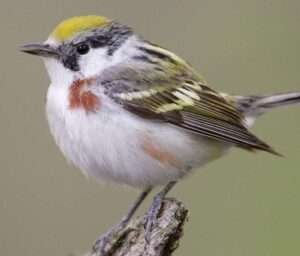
x: 43, y: 50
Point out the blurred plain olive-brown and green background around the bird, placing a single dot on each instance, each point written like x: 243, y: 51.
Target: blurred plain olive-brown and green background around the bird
x: 244, y: 204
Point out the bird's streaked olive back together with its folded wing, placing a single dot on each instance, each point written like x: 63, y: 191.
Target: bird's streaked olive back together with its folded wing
x: 182, y: 98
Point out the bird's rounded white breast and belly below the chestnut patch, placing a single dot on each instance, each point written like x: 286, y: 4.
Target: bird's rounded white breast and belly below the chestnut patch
x: 110, y: 144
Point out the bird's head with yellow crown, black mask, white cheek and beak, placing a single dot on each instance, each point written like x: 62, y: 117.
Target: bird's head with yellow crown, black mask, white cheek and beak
x: 80, y: 47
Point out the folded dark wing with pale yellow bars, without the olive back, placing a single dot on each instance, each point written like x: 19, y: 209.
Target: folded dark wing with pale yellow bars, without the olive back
x: 195, y: 108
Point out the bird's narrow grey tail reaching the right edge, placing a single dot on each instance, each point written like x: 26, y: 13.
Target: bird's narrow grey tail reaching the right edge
x: 254, y: 106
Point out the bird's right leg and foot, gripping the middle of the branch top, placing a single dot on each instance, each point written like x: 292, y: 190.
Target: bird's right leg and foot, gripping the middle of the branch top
x: 154, y: 209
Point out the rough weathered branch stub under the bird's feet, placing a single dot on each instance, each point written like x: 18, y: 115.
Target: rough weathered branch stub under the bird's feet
x: 165, y: 235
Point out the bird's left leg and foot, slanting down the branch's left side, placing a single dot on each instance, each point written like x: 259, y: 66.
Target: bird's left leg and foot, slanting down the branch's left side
x: 103, y: 240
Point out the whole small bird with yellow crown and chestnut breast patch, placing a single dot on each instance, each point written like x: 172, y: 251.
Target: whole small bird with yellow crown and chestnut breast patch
x: 123, y: 109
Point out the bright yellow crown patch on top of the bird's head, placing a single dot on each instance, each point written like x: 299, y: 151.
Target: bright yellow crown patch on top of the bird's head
x: 70, y: 27
